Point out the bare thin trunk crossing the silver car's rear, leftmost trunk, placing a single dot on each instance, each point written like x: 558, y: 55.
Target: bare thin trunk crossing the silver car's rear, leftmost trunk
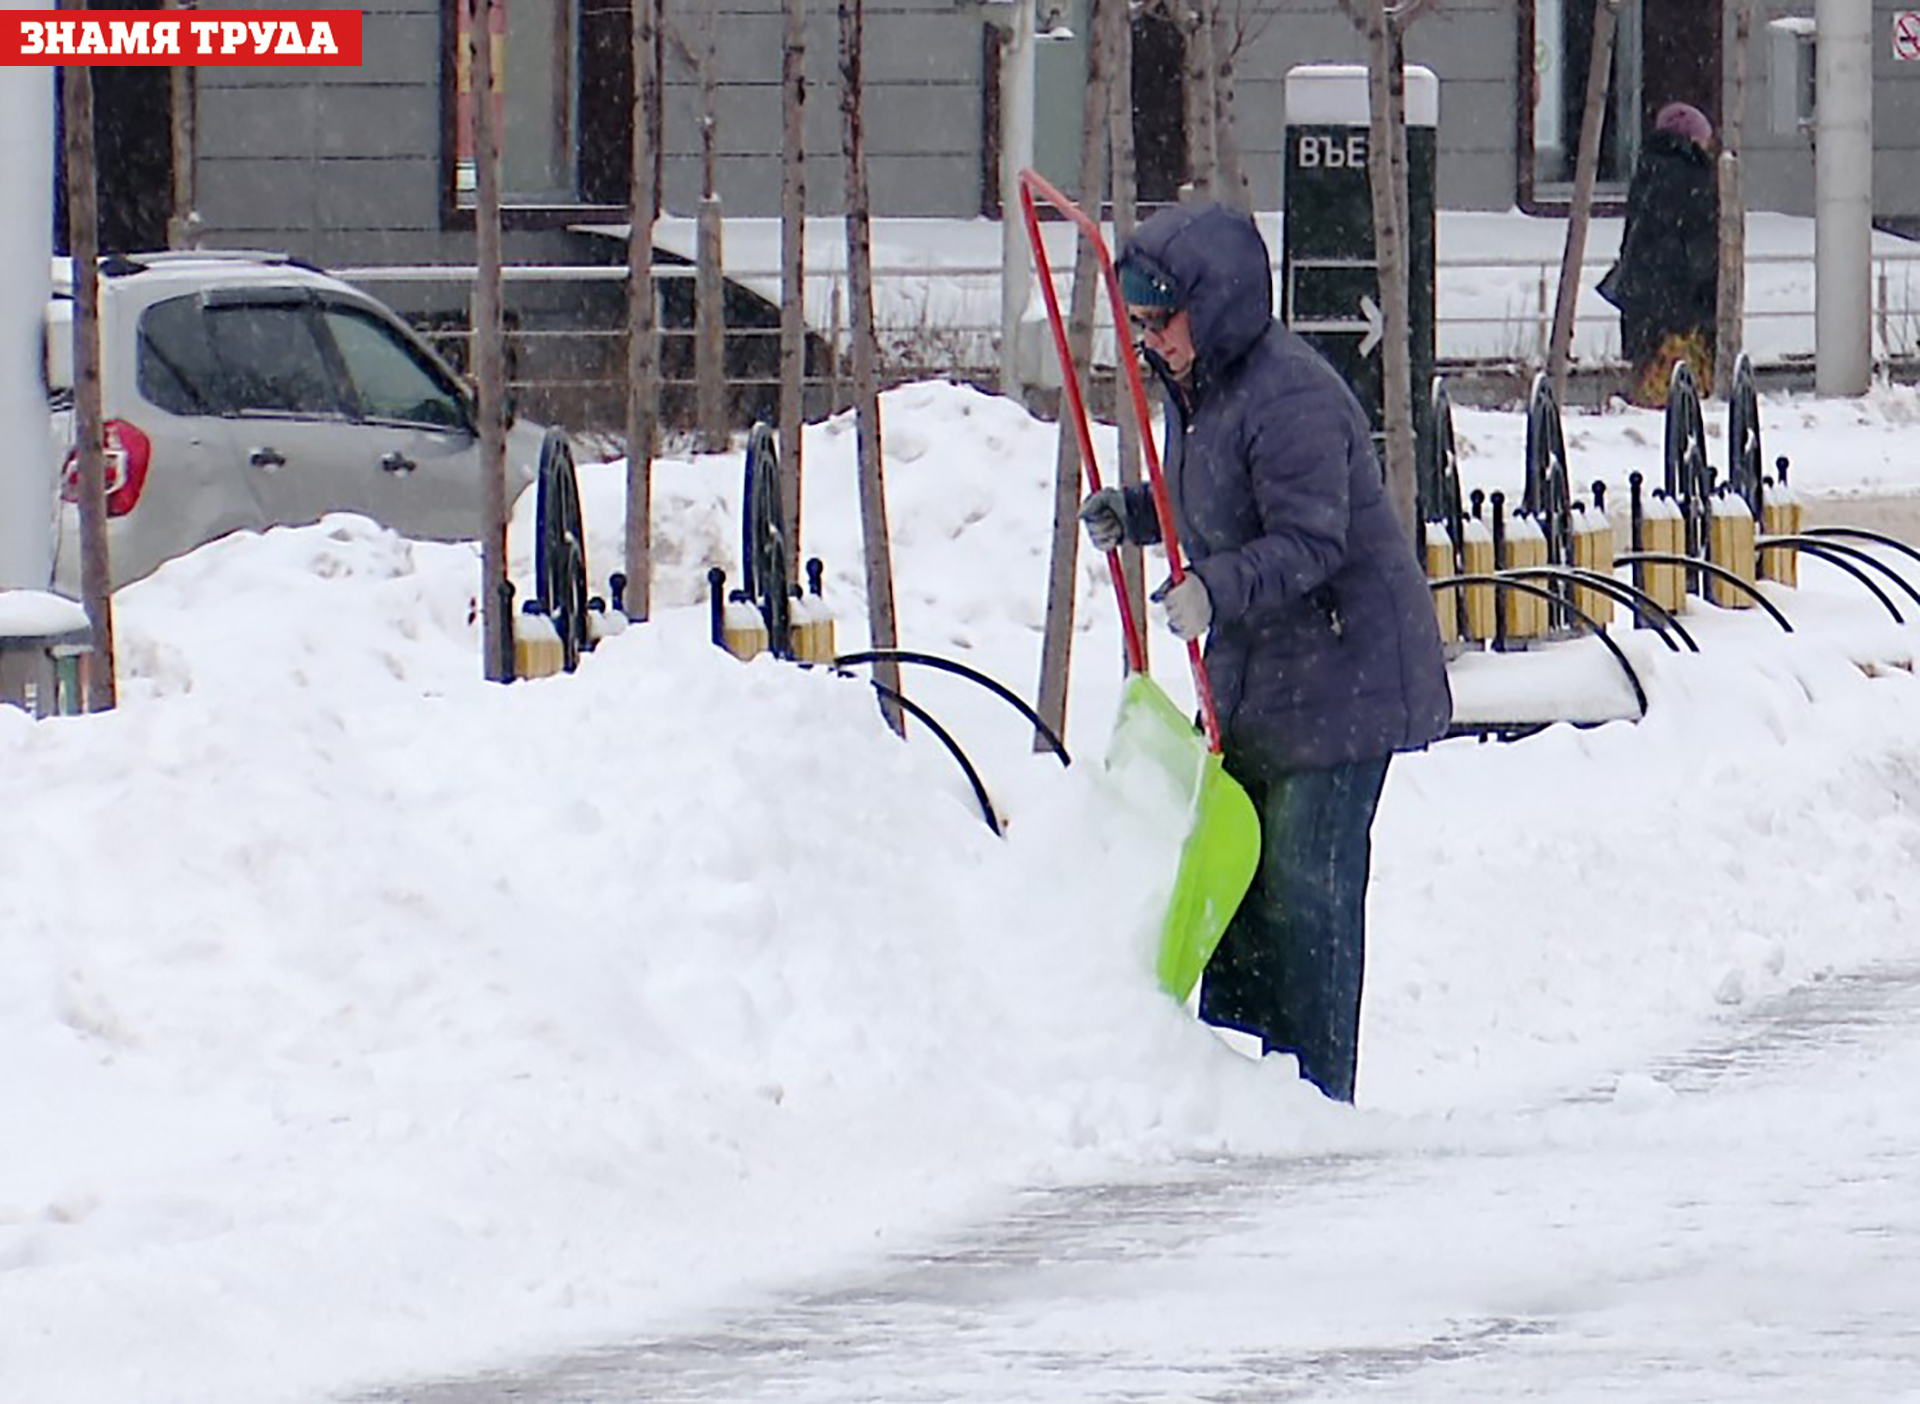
x: 89, y: 424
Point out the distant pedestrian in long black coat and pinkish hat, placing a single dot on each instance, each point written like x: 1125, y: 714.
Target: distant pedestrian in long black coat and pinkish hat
x: 1668, y: 281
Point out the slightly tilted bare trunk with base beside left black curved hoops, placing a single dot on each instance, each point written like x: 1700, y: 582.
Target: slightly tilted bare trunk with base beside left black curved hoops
x: 878, y: 554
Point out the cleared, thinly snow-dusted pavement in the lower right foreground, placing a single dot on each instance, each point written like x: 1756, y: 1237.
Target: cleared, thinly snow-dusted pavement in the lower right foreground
x: 1646, y: 1240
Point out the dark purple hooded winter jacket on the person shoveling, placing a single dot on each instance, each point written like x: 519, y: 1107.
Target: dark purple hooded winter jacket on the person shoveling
x: 1324, y: 644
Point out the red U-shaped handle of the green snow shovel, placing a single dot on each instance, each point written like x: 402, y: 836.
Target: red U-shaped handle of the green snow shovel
x: 1032, y: 183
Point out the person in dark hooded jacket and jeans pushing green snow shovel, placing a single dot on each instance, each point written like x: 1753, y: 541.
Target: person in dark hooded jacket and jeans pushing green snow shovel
x: 1322, y: 639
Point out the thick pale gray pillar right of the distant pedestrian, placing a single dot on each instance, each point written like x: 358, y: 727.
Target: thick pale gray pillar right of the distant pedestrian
x: 1844, y: 197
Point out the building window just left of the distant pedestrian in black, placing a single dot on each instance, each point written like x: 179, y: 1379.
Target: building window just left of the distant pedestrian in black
x: 1556, y: 53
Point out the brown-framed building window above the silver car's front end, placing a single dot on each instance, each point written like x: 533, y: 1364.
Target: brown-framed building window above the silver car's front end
x: 562, y: 101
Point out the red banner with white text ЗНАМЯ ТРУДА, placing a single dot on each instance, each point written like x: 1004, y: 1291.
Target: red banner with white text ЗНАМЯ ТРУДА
x: 170, y: 37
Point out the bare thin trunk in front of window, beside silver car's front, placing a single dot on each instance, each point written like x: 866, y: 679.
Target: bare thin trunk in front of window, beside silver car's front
x: 491, y: 364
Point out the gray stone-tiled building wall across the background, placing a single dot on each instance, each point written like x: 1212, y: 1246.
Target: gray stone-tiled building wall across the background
x: 345, y: 166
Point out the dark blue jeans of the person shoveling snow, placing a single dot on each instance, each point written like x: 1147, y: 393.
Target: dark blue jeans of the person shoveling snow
x: 1291, y: 965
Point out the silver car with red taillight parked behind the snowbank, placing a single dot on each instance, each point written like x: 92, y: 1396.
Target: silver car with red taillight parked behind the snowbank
x: 249, y: 391
